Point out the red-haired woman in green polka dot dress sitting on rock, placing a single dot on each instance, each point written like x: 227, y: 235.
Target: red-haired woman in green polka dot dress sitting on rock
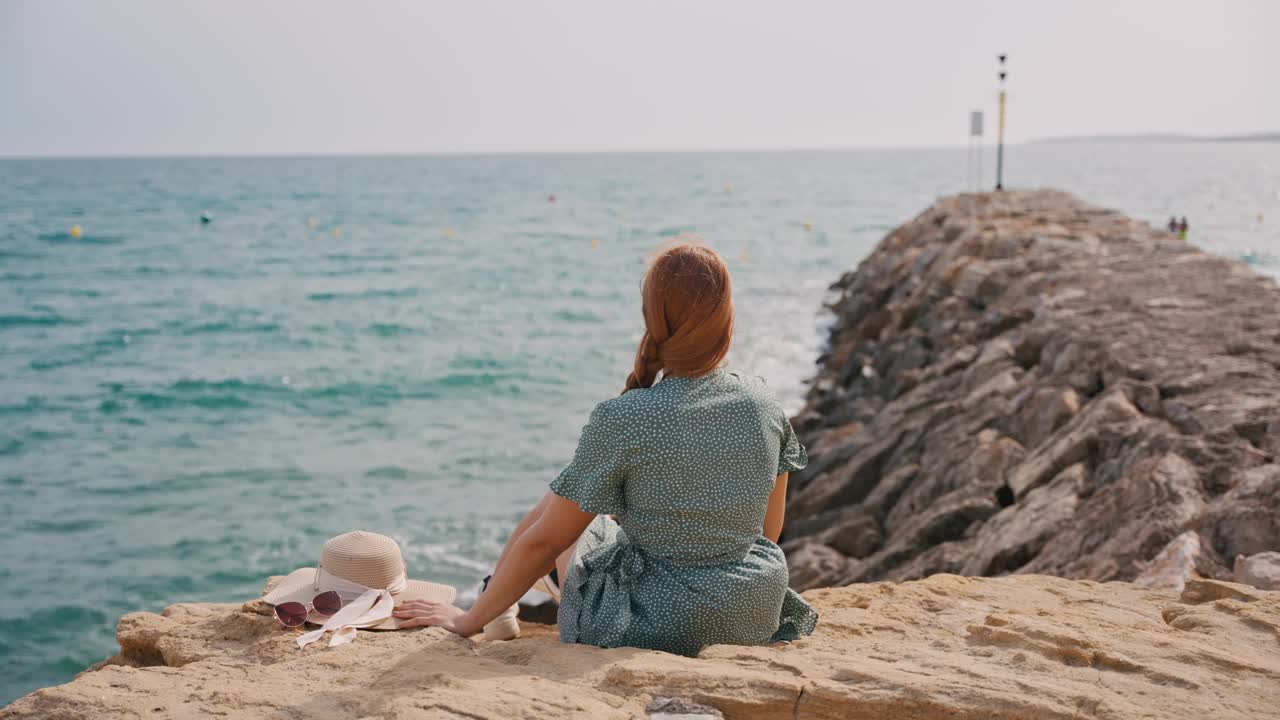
x: 664, y: 528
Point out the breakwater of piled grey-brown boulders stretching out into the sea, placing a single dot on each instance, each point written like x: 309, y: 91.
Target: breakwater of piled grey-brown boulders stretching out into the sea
x: 1026, y: 384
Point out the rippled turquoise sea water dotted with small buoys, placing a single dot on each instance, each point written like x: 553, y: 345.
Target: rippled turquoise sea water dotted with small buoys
x: 186, y: 409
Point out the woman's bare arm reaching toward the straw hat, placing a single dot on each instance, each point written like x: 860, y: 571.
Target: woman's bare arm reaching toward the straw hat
x: 531, y: 558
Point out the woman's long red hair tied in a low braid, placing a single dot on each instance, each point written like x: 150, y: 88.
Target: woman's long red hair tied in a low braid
x: 688, y: 316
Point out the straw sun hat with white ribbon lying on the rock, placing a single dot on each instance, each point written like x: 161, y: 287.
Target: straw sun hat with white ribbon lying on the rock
x: 353, y: 563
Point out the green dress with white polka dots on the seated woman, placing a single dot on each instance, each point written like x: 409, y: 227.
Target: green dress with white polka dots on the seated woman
x: 687, y: 468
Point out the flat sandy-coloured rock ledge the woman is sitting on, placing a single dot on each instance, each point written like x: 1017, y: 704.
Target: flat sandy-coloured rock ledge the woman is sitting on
x: 991, y: 649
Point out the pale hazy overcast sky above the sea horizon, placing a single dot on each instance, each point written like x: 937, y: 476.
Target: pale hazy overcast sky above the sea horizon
x: 276, y: 78
